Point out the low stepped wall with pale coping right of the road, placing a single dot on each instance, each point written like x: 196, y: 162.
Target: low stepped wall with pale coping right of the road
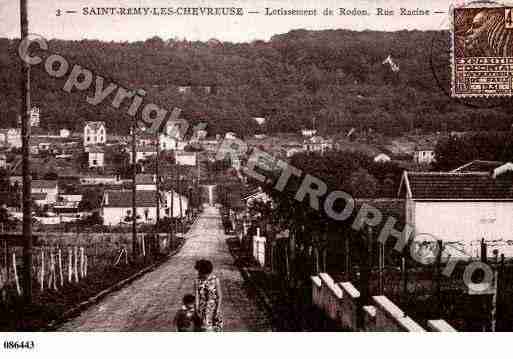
x: 341, y: 303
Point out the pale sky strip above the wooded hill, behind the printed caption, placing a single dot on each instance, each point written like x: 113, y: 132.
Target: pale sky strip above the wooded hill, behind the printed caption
x: 43, y: 19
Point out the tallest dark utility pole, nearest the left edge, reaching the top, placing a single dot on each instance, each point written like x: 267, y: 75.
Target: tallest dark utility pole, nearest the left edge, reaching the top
x: 25, y: 135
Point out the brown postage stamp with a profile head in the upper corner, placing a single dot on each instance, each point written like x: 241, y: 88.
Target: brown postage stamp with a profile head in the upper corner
x: 482, y: 50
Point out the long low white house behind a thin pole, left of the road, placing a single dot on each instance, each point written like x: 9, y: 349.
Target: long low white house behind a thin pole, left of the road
x: 117, y: 207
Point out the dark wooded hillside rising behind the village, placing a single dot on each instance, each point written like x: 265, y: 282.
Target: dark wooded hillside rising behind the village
x: 334, y: 76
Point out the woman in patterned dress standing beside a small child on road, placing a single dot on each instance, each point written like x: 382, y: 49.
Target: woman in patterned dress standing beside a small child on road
x: 208, y: 297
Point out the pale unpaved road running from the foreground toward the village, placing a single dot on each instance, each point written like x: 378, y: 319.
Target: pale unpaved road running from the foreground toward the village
x: 149, y: 303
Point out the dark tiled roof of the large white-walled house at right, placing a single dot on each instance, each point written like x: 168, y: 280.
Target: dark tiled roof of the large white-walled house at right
x: 458, y: 186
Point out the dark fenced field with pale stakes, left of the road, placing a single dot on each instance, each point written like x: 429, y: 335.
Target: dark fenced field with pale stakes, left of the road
x: 69, y: 268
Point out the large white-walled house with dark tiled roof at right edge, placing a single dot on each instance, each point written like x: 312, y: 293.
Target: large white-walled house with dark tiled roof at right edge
x: 460, y: 207
